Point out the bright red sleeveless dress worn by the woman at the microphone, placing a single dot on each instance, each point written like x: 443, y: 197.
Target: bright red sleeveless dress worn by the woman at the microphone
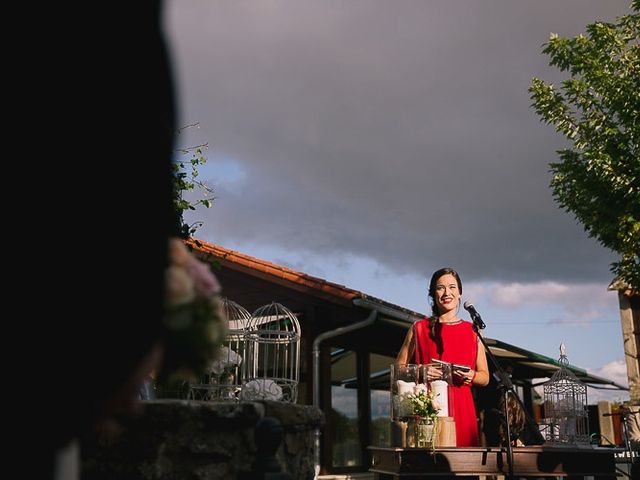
x: 456, y: 343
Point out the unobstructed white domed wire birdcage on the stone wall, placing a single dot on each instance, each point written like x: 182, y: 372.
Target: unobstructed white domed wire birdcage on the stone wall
x: 272, y: 366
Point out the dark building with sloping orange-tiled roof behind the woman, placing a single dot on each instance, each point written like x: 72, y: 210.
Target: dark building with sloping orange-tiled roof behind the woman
x: 353, y: 366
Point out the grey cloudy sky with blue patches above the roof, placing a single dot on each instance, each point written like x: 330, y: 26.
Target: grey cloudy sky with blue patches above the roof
x: 372, y: 142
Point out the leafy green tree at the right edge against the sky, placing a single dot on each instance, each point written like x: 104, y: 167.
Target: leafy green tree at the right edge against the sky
x: 598, y: 110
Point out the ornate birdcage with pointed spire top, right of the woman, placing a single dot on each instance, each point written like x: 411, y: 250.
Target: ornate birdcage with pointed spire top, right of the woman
x: 566, y: 419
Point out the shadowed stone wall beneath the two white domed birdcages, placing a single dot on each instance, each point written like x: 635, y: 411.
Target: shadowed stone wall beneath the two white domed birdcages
x: 178, y: 439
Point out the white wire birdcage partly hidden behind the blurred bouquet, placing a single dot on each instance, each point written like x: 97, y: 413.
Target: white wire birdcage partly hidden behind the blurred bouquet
x: 223, y: 381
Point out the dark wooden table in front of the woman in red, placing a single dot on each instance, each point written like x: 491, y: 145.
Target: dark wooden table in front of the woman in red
x: 535, y: 461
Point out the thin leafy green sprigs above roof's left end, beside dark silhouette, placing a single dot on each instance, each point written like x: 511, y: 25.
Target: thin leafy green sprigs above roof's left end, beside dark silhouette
x: 185, y: 180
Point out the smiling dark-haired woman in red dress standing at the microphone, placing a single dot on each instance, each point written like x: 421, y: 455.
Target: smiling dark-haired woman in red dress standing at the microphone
x: 445, y: 336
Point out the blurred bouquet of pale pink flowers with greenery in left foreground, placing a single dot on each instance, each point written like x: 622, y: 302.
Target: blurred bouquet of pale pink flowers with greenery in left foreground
x: 194, y: 319
